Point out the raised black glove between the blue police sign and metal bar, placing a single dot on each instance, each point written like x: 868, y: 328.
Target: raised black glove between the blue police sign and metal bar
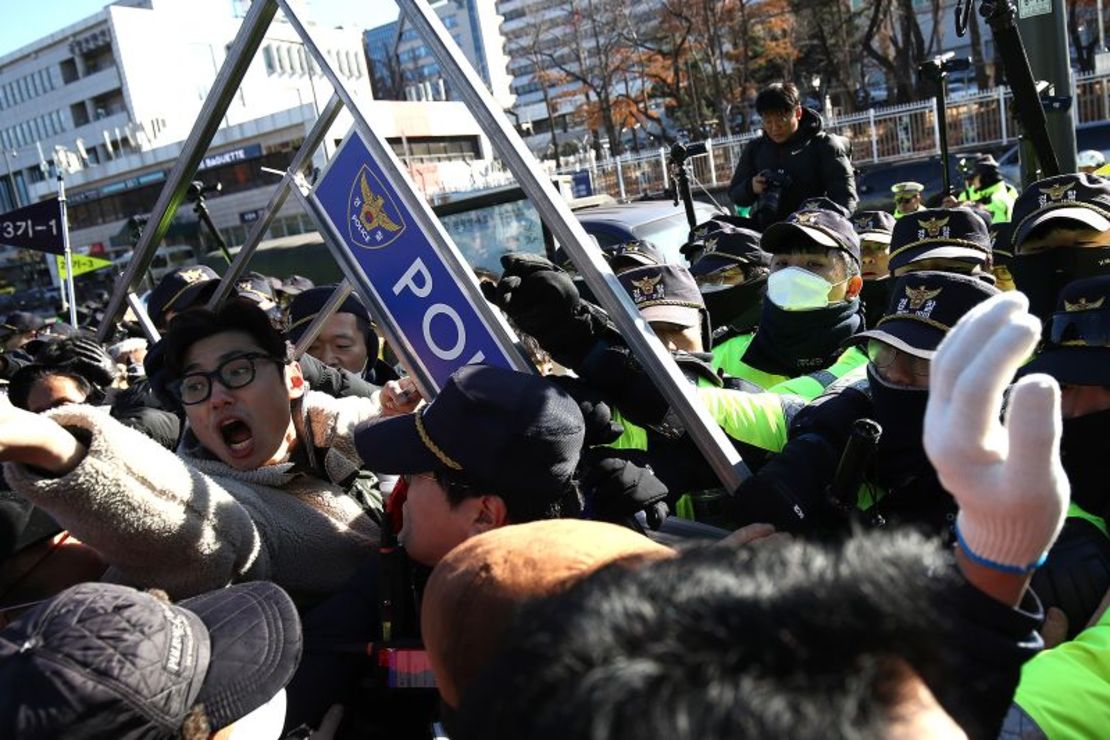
x: 542, y: 300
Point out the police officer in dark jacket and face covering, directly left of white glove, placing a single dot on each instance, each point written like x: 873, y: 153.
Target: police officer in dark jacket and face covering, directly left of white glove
x: 793, y: 491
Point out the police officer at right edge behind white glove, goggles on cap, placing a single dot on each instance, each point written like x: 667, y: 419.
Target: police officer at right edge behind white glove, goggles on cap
x: 1059, y: 687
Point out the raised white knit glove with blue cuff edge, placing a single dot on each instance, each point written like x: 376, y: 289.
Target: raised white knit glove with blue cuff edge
x: 1008, y: 481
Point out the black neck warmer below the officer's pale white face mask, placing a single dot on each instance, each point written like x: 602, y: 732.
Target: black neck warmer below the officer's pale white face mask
x: 796, y: 343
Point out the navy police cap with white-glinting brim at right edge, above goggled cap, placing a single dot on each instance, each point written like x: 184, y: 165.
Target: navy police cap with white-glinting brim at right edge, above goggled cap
x: 1068, y: 200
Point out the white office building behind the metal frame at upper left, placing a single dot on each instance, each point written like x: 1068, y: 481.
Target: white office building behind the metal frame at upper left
x: 108, y: 103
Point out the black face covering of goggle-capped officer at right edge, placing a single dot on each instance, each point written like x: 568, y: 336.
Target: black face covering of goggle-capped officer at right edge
x: 1085, y: 451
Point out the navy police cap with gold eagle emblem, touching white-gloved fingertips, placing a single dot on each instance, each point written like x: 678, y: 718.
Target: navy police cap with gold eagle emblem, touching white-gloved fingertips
x: 924, y: 306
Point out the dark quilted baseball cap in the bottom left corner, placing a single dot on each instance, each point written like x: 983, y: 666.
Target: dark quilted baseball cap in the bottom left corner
x: 110, y: 662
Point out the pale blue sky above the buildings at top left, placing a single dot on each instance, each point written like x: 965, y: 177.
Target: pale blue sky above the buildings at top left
x: 27, y: 21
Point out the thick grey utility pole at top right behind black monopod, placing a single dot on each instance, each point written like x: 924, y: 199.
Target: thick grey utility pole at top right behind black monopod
x: 1044, y: 27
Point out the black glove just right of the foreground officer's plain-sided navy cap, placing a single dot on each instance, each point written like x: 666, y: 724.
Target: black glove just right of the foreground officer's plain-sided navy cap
x: 617, y: 489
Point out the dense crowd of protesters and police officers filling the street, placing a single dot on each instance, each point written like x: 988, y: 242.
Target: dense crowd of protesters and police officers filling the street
x: 214, y: 536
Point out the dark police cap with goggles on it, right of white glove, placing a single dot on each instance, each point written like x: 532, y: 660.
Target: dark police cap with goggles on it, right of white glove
x: 1077, y: 348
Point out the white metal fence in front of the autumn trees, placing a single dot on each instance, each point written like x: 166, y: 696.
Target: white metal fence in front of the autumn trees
x: 983, y: 120
